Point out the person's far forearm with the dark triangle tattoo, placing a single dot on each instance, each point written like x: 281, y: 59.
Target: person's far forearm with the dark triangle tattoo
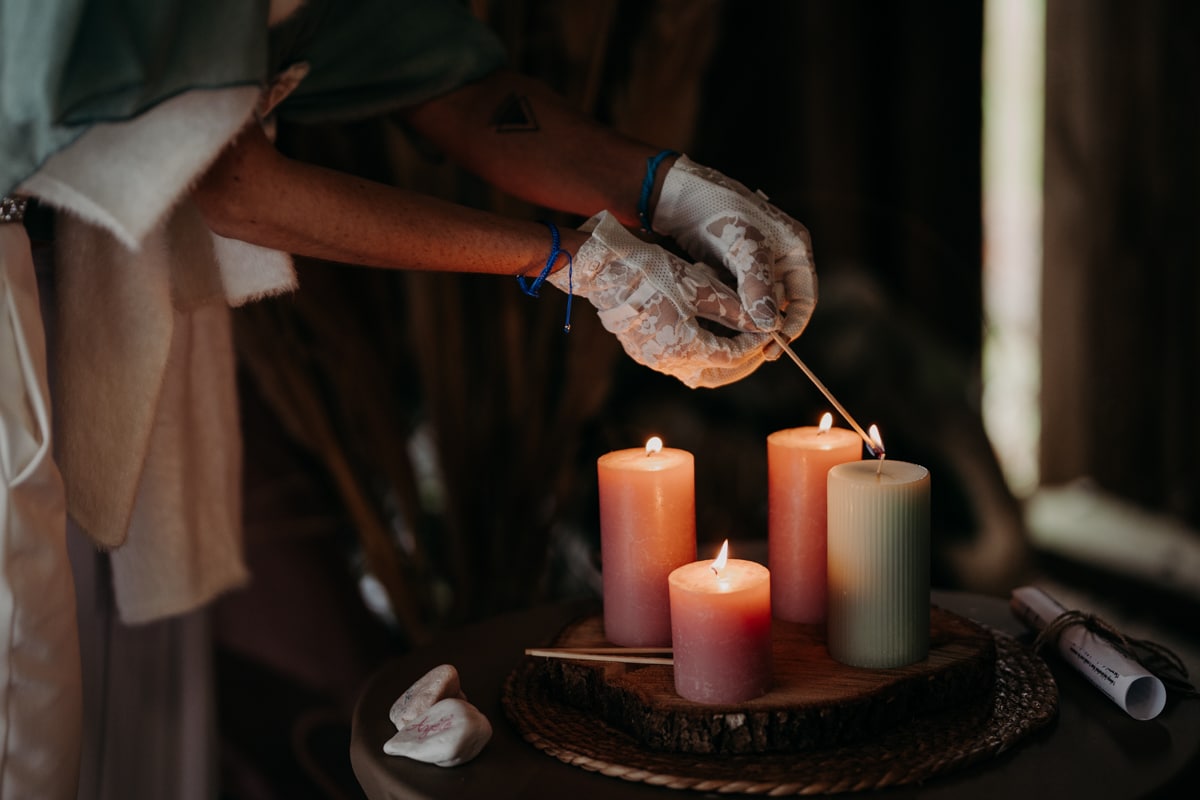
x: 518, y: 135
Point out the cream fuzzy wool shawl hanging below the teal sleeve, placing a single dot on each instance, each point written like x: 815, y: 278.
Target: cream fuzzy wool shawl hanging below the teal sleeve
x: 148, y: 434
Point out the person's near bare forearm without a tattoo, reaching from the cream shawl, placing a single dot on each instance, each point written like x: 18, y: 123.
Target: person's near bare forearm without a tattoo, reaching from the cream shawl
x: 256, y: 195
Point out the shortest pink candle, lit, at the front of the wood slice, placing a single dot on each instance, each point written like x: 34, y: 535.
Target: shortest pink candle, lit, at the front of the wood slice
x: 721, y: 630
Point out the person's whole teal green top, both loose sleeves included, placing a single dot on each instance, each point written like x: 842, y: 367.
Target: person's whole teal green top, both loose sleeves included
x: 69, y: 64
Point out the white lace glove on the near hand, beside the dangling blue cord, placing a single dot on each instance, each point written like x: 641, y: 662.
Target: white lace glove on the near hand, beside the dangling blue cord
x: 653, y: 303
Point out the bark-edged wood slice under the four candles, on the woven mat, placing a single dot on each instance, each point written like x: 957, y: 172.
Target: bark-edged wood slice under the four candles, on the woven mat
x: 815, y: 701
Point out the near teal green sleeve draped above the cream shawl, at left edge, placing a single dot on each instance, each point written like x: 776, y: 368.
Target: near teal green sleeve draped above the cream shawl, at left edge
x: 68, y: 64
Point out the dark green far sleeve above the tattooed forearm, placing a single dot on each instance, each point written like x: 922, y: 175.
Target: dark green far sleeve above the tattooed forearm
x: 375, y: 57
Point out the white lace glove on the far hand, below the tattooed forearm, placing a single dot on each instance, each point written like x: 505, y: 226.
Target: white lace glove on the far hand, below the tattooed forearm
x: 719, y: 221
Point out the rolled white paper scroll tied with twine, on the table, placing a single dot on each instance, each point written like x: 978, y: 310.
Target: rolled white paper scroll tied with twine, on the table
x: 1124, y: 681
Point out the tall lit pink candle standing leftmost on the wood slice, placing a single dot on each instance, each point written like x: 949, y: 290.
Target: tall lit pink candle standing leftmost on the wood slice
x: 647, y: 530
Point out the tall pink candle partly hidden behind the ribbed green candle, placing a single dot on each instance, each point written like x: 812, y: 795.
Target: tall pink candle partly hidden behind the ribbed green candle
x: 799, y: 462
